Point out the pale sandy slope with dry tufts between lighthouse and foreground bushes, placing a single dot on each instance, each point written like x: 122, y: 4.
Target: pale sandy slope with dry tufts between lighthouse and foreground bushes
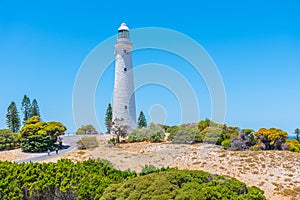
x: 276, y: 172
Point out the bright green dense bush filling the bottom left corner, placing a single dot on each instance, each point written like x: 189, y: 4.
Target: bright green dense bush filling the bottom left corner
x: 62, y: 180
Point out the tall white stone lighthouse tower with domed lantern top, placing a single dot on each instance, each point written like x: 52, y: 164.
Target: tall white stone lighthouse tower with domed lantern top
x: 124, y: 99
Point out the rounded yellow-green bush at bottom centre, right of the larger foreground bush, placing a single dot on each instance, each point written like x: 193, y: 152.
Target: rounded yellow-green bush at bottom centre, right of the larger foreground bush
x: 185, y: 184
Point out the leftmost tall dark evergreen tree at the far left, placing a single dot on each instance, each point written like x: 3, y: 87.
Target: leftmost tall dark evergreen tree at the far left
x: 13, y: 118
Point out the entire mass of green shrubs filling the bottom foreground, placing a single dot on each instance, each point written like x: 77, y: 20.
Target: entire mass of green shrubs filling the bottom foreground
x: 99, y: 180
